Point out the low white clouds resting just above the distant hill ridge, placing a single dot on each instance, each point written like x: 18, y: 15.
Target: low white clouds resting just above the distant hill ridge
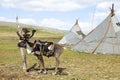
x: 46, y: 22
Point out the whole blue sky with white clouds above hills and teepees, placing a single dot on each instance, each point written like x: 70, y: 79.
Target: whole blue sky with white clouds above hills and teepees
x: 60, y: 14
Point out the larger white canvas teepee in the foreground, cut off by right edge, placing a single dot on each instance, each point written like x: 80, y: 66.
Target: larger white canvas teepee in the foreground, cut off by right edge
x: 105, y: 38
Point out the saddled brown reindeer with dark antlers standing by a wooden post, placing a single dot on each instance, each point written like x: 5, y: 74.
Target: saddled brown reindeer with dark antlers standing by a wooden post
x: 40, y: 48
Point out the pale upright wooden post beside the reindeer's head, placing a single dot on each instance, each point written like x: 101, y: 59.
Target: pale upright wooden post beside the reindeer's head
x: 21, y: 49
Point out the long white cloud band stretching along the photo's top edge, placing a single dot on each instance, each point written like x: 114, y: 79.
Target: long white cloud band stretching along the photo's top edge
x: 56, y: 5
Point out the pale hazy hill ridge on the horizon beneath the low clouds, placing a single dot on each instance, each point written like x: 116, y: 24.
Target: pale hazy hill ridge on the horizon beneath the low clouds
x: 14, y: 24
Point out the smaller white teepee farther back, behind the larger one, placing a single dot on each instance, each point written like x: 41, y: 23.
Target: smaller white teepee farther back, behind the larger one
x: 73, y: 36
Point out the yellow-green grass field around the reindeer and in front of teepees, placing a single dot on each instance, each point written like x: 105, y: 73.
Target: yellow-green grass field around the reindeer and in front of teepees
x: 73, y: 66
